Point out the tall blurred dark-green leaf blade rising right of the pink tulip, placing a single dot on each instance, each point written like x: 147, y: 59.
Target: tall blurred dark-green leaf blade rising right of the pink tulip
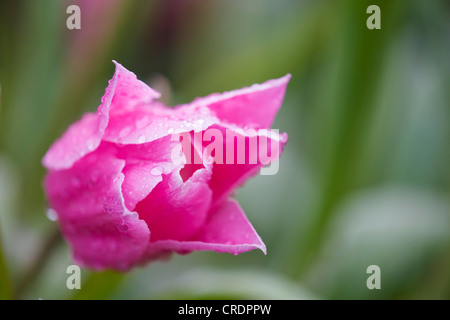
x: 347, y: 86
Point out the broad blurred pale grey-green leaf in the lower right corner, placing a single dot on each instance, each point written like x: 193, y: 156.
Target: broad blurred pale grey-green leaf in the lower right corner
x: 402, y: 230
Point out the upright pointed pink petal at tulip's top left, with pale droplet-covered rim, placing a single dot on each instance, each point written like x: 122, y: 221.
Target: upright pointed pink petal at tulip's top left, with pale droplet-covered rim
x: 134, y: 117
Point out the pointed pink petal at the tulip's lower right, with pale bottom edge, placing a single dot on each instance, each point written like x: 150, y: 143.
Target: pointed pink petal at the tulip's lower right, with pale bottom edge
x: 226, y: 230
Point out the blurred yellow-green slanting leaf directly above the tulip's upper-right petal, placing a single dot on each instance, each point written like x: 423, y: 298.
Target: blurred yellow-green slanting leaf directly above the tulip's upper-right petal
x: 224, y: 64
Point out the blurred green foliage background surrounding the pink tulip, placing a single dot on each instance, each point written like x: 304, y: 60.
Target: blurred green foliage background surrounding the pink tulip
x: 364, y: 179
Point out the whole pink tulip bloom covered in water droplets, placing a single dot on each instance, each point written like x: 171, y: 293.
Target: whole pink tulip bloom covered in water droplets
x: 124, y: 195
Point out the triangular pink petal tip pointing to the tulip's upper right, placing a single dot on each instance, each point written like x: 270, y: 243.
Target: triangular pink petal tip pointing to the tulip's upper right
x: 251, y: 107
